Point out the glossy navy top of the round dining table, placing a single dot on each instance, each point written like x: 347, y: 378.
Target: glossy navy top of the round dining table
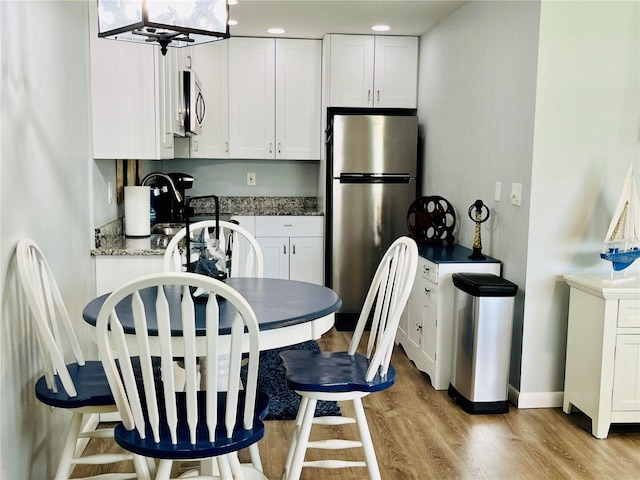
x: 277, y: 304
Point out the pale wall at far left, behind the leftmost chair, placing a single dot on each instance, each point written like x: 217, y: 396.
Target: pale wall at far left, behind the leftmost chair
x: 45, y: 178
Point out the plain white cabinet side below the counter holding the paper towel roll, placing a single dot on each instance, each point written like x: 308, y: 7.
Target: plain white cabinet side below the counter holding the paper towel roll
x: 112, y: 271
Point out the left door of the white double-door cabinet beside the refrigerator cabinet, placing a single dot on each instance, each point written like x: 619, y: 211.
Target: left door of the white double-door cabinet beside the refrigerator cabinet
x: 251, y: 98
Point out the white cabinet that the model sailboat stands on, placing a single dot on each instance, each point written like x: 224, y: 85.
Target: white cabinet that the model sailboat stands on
x: 602, y: 374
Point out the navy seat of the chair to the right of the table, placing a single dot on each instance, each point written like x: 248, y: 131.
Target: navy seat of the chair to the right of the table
x: 331, y: 372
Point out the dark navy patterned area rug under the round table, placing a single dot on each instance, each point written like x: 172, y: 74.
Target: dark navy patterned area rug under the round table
x: 284, y: 402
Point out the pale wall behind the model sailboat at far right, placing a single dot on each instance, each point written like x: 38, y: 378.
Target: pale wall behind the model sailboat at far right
x: 587, y: 130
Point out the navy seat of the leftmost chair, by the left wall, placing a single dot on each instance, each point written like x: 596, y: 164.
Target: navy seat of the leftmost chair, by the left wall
x: 90, y: 382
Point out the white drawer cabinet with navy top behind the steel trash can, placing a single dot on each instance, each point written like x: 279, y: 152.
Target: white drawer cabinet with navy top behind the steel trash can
x: 426, y: 327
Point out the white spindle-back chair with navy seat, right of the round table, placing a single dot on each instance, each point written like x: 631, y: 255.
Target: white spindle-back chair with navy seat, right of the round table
x: 351, y: 376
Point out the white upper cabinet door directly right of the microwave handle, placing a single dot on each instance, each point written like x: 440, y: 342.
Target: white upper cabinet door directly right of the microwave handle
x: 211, y: 62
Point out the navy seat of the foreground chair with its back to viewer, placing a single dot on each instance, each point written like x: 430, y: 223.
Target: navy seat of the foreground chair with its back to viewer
x: 203, y: 448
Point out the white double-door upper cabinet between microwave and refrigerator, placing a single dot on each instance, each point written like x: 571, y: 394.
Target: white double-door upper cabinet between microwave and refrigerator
x: 274, y: 98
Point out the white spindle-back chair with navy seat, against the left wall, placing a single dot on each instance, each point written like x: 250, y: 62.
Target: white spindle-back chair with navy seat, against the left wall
x: 80, y: 387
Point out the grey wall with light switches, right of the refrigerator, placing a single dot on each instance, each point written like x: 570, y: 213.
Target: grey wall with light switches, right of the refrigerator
x: 476, y: 105
